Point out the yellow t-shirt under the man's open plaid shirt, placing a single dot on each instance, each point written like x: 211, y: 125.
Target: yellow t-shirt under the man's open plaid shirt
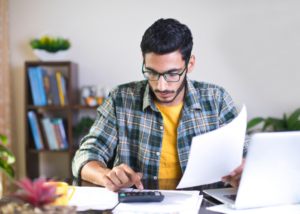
x: 169, y: 166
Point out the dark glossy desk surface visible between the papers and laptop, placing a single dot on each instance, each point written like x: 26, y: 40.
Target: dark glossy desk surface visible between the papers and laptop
x: 148, y: 184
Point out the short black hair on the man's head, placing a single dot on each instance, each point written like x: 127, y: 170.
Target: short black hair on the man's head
x: 166, y: 36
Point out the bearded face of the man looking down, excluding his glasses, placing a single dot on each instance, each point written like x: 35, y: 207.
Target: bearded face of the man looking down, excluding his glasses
x: 167, y: 93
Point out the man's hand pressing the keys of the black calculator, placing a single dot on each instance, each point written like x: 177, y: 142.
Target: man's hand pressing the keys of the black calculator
x: 122, y: 177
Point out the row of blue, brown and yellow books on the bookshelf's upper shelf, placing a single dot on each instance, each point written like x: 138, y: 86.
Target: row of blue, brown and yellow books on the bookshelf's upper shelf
x: 47, y: 89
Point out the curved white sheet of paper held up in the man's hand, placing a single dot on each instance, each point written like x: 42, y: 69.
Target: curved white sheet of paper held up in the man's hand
x: 215, y: 154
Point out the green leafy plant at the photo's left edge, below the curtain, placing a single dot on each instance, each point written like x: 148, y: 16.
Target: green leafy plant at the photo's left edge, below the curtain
x: 10, y: 158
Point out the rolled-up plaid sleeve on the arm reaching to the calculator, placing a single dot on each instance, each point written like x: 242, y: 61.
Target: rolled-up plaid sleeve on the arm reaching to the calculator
x: 100, y: 142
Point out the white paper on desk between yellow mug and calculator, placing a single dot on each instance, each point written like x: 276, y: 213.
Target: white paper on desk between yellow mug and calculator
x: 97, y: 198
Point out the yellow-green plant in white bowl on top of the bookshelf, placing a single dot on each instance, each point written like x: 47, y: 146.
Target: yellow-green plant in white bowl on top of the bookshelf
x: 49, y: 48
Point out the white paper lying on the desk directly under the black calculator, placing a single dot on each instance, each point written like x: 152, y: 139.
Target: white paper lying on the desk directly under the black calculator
x: 174, y: 202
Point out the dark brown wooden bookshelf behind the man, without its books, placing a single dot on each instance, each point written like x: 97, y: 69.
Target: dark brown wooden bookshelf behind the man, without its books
x: 69, y: 70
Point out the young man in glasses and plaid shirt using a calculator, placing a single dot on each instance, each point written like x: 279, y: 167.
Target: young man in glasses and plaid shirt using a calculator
x: 151, y: 123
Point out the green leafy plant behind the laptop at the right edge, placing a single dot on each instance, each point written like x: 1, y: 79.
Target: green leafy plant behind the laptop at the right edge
x: 291, y: 123
